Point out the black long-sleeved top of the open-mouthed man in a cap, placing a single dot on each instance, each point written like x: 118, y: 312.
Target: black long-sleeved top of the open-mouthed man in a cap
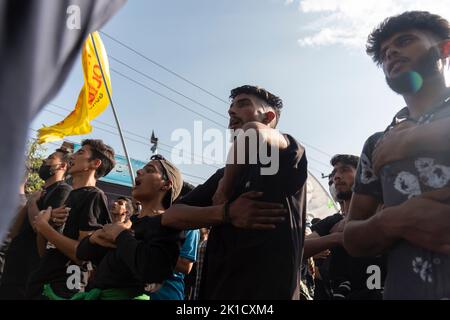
x: 146, y: 254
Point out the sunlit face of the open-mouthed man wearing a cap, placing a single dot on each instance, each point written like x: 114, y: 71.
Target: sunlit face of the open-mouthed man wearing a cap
x: 149, y: 181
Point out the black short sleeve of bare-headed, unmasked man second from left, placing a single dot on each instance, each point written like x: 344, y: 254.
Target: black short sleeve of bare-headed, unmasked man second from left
x: 94, y: 213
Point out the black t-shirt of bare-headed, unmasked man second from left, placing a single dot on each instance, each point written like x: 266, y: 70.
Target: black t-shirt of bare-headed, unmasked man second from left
x: 88, y: 212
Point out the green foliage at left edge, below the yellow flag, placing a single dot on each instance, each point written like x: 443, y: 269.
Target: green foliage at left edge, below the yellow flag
x: 35, y: 155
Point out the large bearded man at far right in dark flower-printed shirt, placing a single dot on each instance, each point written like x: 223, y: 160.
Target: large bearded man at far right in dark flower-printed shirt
x: 407, y: 167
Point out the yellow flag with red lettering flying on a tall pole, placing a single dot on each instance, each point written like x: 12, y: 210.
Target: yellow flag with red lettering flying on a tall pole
x: 92, y: 100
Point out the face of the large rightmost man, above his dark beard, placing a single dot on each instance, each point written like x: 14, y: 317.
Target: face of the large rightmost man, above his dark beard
x: 404, y: 50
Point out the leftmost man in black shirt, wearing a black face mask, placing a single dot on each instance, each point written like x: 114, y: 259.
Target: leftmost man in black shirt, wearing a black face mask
x: 22, y: 257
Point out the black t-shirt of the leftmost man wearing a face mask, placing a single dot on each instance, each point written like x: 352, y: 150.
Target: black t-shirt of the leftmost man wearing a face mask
x: 22, y: 257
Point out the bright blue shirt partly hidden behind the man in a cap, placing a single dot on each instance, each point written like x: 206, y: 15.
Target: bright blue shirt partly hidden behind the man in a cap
x: 173, y: 288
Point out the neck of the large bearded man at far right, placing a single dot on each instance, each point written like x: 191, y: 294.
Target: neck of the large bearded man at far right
x: 432, y: 92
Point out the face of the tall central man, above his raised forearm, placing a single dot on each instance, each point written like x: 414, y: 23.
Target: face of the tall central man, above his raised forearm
x: 245, y: 108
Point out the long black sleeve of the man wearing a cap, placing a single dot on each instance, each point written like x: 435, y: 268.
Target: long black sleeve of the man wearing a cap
x: 153, y: 259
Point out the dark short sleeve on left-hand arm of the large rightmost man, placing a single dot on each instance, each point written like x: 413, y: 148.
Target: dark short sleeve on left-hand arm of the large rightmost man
x: 366, y: 182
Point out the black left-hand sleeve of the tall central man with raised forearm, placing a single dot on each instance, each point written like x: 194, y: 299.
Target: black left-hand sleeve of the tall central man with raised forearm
x: 202, y: 195
